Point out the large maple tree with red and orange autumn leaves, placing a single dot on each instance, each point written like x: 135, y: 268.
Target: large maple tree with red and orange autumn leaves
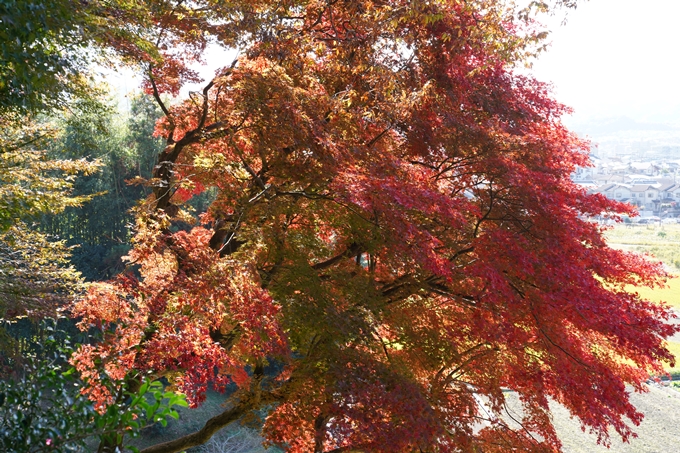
x: 392, y: 220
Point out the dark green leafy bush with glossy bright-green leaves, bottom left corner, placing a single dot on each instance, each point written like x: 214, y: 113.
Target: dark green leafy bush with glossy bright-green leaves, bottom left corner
x: 42, y: 409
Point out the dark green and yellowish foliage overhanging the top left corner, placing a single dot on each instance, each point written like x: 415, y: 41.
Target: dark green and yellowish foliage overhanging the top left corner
x: 47, y: 48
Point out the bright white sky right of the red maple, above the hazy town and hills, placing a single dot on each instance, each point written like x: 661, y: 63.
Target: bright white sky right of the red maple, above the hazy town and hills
x: 616, y: 58
